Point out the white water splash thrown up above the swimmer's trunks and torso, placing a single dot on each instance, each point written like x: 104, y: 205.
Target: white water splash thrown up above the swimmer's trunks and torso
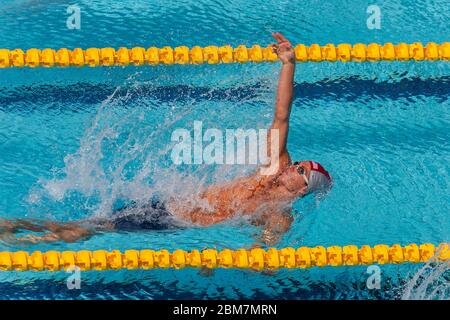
x: 124, y: 155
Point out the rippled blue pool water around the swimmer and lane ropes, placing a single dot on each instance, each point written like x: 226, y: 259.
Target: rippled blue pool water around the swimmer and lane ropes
x: 75, y: 141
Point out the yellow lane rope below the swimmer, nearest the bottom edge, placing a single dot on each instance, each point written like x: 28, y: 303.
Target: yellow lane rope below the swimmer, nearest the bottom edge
x: 256, y: 259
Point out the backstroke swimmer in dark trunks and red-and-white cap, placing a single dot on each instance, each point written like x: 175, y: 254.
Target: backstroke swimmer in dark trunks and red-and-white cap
x: 265, y: 199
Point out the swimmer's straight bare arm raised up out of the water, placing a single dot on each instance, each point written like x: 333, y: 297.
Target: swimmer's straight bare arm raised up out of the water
x: 285, y: 93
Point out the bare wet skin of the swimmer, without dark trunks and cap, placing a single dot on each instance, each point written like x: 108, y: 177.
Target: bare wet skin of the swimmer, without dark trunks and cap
x: 266, y: 199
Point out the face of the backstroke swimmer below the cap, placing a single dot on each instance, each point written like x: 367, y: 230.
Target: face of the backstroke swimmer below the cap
x: 294, y: 178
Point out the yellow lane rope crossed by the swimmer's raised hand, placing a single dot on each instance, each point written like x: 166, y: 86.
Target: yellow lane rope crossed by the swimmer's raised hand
x: 139, y: 56
